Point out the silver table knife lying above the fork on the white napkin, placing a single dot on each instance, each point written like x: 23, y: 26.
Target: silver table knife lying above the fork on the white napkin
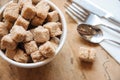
x: 95, y: 9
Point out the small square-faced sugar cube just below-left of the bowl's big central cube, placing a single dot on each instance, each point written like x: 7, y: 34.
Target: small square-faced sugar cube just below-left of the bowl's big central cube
x: 30, y: 47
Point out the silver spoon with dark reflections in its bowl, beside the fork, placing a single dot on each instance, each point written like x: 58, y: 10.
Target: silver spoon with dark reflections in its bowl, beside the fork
x: 92, y: 33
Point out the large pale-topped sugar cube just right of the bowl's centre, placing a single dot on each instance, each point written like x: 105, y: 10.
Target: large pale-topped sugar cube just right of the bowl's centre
x: 40, y: 34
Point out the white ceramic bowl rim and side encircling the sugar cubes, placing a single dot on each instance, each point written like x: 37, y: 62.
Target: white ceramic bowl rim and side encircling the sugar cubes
x: 38, y: 64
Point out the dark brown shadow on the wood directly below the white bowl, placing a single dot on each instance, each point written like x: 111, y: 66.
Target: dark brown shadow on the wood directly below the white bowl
x: 41, y: 73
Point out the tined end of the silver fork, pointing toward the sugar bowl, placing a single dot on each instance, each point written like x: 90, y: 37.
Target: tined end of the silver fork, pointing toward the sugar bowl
x: 77, y: 13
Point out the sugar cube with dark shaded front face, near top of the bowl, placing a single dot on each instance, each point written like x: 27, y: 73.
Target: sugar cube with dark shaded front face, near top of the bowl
x: 28, y: 11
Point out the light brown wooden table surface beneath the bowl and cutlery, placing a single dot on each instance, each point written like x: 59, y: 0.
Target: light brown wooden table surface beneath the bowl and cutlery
x: 66, y: 65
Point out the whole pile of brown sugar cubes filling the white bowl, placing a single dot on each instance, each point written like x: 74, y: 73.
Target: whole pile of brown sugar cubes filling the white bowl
x: 30, y: 31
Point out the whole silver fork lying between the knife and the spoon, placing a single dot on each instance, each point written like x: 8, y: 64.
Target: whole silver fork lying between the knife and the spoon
x: 81, y: 15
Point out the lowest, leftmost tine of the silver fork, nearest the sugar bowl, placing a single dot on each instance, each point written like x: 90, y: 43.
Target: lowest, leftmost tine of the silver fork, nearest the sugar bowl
x: 79, y: 16
